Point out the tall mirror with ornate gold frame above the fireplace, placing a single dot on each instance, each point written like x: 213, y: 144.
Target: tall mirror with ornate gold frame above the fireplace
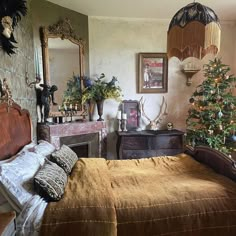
x: 63, y: 59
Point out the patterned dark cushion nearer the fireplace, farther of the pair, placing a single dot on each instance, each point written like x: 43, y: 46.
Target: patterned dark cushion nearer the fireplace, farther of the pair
x: 65, y: 158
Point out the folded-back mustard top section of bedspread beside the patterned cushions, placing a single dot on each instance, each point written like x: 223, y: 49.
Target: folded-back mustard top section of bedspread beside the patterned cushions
x: 87, y: 207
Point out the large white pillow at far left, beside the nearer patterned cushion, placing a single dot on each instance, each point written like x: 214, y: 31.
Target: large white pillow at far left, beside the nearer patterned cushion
x: 16, y: 177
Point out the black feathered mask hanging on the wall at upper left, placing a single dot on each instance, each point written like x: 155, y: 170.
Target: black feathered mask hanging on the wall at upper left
x: 11, y: 12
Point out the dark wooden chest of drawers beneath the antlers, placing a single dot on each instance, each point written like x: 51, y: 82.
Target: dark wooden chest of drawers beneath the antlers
x: 148, y: 143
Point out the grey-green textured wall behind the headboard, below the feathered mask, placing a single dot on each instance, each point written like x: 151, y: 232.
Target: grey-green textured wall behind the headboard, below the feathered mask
x: 13, y: 68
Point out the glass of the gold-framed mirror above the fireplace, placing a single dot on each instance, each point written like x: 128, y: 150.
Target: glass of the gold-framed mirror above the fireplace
x: 63, y: 64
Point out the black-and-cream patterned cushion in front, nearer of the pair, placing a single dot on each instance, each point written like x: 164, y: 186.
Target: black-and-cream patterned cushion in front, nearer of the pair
x: 50, y: 181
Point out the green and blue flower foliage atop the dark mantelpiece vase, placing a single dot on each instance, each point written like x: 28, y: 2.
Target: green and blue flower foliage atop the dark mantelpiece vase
x: 100, y: 90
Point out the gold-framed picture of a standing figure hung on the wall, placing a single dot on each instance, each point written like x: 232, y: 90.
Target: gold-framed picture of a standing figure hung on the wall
x: 153, y: 73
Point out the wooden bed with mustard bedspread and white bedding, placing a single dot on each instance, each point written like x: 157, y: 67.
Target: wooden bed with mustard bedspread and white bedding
x: 193, y: 193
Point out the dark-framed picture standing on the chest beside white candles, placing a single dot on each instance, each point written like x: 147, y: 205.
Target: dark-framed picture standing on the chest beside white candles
x: 131, y: 108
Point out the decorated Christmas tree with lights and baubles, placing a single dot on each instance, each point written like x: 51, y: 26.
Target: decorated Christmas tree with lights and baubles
x: 212, y: 116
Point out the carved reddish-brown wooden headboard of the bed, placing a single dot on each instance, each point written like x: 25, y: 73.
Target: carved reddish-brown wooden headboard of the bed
x: 15, y: 129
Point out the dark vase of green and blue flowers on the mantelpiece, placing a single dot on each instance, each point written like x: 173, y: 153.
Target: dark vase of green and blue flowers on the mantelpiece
x: 99, y: 90
